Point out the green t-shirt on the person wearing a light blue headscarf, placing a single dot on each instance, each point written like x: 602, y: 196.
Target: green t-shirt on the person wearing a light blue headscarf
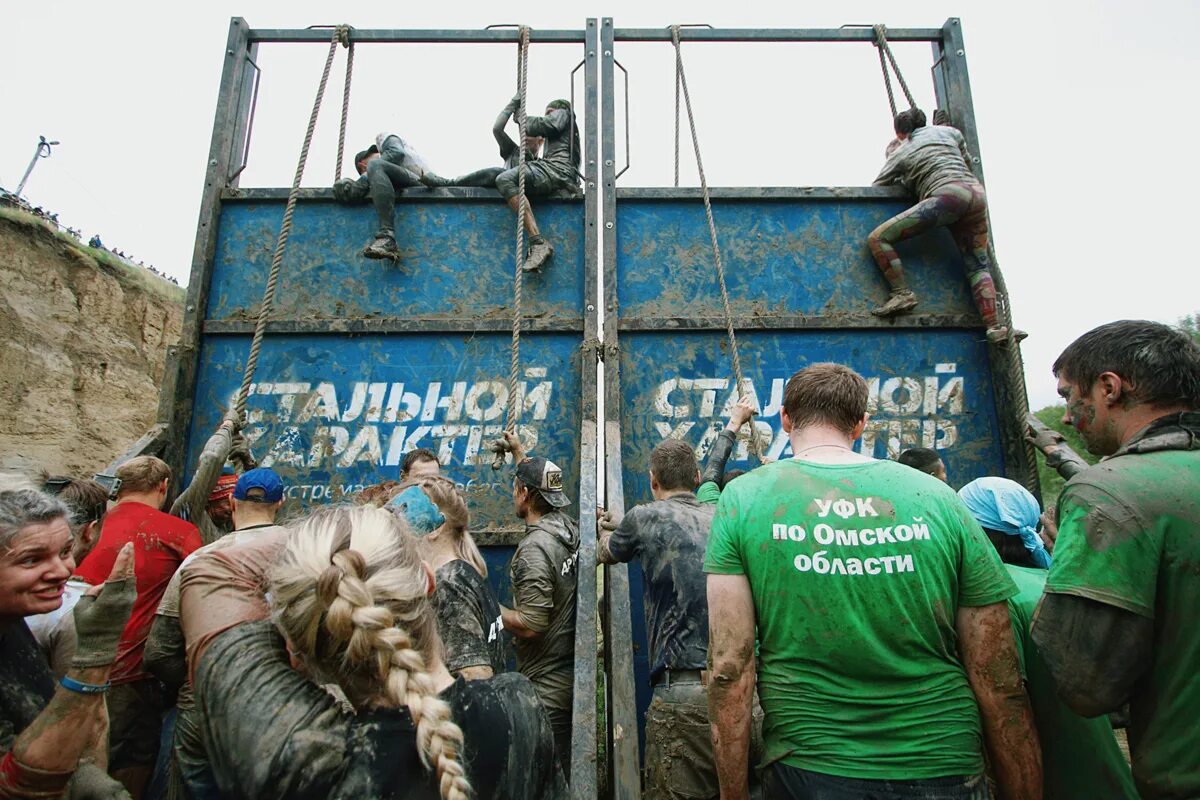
x: 1081, y: 757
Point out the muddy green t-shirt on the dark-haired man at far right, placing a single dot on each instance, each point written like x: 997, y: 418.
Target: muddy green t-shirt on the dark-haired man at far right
x: 1130, y: 537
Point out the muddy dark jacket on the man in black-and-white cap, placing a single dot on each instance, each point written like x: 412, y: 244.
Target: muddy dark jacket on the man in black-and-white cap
x: 544, y: 578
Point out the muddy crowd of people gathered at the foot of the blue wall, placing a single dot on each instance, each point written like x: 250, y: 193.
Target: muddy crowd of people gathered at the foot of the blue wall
x: 827, y: 627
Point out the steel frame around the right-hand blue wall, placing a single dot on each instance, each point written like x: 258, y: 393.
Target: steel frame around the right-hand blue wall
x: 953, y: 93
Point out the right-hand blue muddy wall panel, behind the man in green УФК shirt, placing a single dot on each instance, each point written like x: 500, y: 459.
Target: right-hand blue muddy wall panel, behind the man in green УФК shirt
x: 801, y: 284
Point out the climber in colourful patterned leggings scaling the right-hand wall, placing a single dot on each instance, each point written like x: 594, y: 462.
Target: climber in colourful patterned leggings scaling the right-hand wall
x: 933, y: 161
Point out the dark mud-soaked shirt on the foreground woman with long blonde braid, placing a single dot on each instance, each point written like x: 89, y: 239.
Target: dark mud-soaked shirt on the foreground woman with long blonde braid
x: 272, y: 733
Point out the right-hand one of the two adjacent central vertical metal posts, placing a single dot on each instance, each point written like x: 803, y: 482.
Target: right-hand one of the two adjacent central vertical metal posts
x: 626, y: 761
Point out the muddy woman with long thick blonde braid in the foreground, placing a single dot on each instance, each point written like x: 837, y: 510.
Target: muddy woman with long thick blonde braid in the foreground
x: 350, y: 596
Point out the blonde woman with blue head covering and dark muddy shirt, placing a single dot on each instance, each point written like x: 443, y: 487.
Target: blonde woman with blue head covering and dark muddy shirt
x: 470, y: 623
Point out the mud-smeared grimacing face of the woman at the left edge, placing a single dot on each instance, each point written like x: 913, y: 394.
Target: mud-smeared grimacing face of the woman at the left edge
x: 35, y: 568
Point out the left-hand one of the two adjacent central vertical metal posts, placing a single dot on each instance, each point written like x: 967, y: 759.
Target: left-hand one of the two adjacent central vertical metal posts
x: 584, y: 715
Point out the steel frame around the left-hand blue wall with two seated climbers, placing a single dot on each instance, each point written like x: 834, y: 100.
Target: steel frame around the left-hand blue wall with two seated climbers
x: 227, y: 149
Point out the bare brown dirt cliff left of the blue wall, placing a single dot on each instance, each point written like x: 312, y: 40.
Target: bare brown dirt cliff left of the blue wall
x: 83, y: 342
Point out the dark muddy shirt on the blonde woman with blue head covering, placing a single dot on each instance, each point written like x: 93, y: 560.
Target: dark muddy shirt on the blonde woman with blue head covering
x: 469, y: 619
